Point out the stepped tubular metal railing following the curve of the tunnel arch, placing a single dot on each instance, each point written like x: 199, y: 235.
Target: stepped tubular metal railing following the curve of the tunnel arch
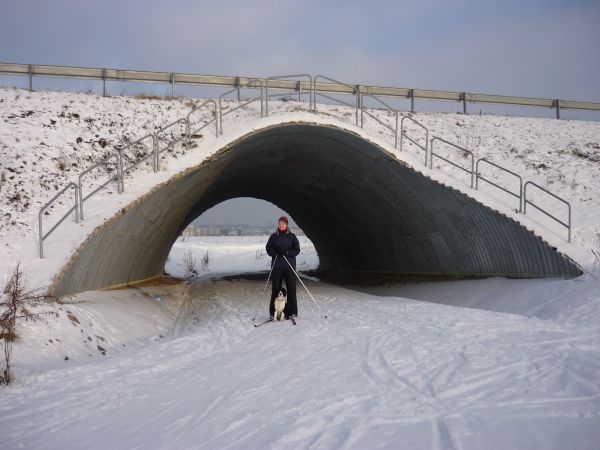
x: 335, y: 87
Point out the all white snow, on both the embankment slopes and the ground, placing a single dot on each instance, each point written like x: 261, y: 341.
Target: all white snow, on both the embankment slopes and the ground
x: 492, y: 364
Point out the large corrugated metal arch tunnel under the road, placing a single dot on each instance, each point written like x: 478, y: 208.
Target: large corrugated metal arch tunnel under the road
x: 364, y: 211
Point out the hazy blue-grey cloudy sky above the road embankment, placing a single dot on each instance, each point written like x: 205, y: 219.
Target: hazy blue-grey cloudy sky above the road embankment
x: 532, y: 48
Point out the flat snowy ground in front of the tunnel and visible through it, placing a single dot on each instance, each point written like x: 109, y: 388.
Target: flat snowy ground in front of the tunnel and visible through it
x: 182, y: 367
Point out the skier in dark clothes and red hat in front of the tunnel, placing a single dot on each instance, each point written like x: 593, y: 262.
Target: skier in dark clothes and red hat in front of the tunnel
x: 283, y: 245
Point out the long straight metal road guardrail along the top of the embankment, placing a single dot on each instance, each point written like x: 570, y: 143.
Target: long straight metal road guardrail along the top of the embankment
x: 104, y: 75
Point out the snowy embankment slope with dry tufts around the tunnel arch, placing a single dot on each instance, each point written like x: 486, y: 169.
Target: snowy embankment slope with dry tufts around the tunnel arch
x: 48, y: 138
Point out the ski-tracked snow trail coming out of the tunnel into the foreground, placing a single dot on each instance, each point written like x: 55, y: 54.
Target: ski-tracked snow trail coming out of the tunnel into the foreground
x: 378, y: 373
